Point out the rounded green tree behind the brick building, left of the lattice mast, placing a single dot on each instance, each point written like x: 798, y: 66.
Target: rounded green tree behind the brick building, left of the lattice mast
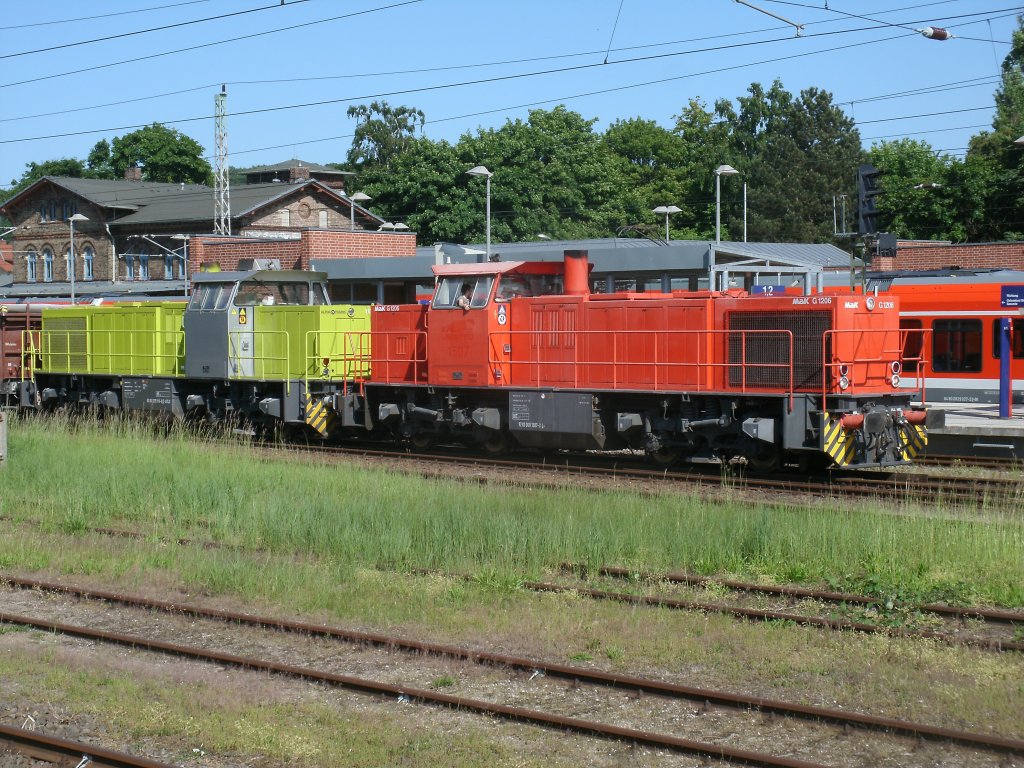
x: 163, y: 154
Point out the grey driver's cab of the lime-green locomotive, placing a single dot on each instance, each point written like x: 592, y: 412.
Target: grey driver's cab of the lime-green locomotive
x: 223, y: 319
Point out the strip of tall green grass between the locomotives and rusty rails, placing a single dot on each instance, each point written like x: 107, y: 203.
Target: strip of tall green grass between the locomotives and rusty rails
x: 77, y: 475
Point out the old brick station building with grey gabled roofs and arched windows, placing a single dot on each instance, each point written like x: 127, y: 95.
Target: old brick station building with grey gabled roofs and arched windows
x: 138, y: 236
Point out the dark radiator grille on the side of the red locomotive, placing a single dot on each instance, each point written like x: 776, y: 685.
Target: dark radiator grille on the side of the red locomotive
x: 760, y: 359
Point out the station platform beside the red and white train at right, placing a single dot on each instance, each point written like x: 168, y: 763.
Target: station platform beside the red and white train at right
x: 978, y: 431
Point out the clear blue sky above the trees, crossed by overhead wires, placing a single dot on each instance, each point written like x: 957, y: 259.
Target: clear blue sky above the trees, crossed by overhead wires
x: 471, y: 65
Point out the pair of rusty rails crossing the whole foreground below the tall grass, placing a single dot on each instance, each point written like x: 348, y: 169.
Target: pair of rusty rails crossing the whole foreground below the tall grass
x: 576, y: 676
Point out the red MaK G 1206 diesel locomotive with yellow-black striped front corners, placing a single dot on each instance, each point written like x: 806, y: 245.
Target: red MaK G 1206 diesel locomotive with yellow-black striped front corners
x: 523, y: 354
